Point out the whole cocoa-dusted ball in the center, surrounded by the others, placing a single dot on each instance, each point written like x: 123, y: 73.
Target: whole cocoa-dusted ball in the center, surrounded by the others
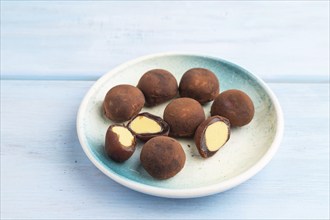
x: 183, y: 115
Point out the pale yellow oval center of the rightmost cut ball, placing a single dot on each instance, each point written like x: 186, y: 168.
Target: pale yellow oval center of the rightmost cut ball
x: 216, y: 135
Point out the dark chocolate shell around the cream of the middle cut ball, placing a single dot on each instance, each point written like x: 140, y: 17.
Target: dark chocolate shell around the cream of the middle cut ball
x: 147, y: 136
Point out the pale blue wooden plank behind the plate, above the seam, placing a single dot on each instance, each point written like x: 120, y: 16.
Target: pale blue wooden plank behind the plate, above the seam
x: 279, y: 41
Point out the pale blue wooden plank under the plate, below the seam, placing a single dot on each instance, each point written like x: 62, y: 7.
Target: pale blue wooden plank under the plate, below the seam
x: 46, y: 175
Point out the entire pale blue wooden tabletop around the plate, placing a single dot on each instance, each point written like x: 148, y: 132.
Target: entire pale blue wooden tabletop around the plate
x: 52, y: 53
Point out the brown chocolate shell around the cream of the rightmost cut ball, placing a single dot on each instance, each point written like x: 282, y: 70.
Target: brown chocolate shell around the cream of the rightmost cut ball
x: 199, y: 137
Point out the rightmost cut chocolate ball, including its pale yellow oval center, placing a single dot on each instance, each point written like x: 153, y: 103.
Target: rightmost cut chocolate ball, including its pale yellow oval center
x: 211, y: 135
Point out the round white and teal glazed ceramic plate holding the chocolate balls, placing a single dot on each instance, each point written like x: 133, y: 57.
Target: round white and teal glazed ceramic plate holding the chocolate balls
x: 249, y: 149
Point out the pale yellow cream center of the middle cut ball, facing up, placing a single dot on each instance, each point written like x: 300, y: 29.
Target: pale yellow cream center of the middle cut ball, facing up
x: 142, y: 125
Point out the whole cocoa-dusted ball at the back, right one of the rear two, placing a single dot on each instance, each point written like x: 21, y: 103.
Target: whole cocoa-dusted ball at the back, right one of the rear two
x: 200, y: 84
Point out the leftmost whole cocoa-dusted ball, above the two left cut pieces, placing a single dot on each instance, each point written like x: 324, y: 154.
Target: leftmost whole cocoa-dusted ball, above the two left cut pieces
x: 122, y: 102
